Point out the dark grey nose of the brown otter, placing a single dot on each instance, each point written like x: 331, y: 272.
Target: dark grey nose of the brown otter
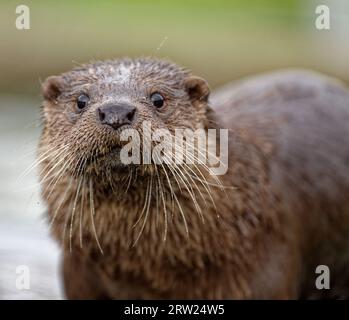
x: 116, y: 115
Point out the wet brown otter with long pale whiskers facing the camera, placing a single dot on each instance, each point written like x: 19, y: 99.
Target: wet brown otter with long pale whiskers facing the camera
x: 149, y: 231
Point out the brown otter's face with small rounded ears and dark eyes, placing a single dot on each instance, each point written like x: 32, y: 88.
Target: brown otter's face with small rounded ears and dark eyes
x: 85, y: 110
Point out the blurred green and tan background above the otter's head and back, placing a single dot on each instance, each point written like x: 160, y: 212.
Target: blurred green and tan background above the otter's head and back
x: 220, y: 40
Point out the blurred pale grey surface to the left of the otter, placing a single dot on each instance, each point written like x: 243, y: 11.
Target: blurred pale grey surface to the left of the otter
x: 24, y: 236
